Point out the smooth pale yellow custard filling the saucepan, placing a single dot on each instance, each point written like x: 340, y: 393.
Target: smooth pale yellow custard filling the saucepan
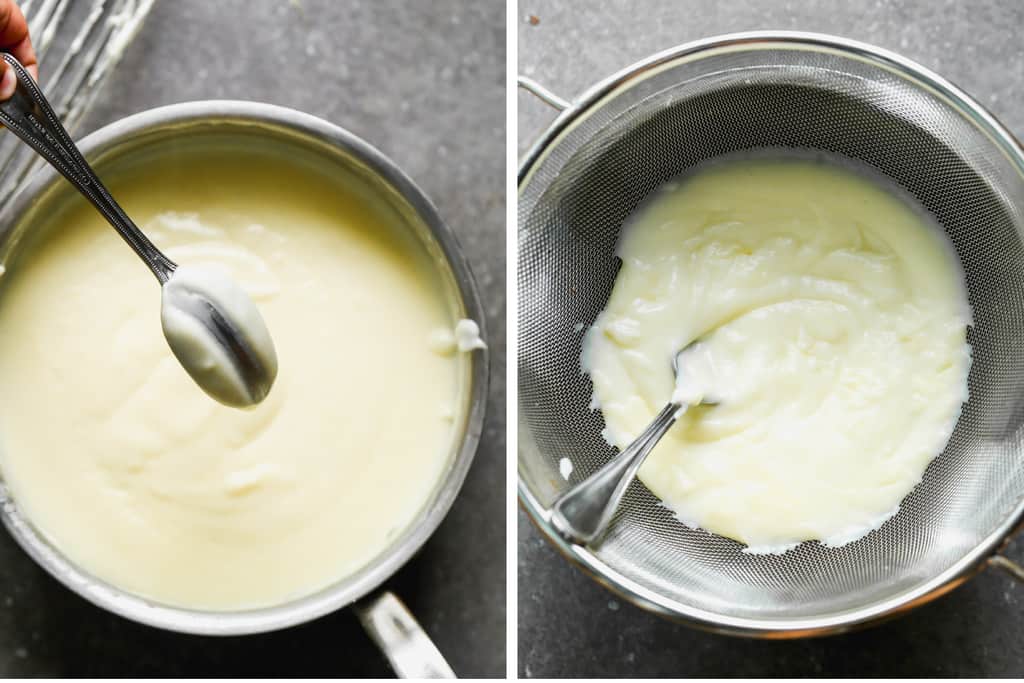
x: 139, y: 478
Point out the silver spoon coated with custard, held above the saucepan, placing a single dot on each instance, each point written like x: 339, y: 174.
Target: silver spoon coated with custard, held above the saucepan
x: 212, y: 327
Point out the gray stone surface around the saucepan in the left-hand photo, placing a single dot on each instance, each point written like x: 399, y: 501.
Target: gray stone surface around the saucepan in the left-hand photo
x: 424, y: 82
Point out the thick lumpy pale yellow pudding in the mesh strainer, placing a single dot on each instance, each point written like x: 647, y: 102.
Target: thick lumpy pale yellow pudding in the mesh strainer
x: 833, y: 315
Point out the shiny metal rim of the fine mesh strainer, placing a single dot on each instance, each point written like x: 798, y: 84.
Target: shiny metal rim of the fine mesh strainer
x: 972, y: 562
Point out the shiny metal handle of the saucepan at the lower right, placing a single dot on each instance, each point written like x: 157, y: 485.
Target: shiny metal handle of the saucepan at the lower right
x: 401, y: 637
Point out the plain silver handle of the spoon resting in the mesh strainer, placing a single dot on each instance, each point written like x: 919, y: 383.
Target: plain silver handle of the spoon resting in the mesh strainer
x: 583, y: 513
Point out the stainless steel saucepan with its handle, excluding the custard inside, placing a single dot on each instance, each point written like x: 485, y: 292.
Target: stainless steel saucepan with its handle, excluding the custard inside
x: 305, y: 138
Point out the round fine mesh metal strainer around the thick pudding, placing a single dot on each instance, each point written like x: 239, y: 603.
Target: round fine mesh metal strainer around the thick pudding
x: 615, y: 145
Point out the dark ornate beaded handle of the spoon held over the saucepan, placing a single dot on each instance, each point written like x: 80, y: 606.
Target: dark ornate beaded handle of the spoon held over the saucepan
x: 30, y: 117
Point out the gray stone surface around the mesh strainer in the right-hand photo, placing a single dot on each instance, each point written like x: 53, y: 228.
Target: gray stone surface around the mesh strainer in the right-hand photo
x: 569, y: 626
